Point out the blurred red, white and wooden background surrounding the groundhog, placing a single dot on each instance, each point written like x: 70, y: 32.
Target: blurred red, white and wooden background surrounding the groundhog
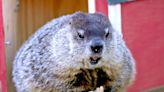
x: 140, y: 22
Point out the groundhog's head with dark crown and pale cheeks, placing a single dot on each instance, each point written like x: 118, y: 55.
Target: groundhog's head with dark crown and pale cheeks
x: 90, y: 39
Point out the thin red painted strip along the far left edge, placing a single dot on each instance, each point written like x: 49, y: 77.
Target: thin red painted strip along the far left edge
x: 3, y: 79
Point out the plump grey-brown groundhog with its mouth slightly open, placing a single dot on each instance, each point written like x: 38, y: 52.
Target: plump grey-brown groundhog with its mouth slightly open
x: 74, y: 53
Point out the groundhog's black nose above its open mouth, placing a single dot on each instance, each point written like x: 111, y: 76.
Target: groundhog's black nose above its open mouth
x: 97, y: 47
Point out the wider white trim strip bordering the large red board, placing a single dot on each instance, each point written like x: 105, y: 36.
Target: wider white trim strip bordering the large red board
x: 114, y: 14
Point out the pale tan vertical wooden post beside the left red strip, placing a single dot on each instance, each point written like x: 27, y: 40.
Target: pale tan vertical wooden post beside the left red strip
x: 10, y: 30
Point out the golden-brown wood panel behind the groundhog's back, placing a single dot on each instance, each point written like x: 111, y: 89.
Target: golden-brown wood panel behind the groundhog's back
x: 35, y: 13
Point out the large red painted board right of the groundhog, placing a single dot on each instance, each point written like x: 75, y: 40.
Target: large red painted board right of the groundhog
x: 143, y: 30
